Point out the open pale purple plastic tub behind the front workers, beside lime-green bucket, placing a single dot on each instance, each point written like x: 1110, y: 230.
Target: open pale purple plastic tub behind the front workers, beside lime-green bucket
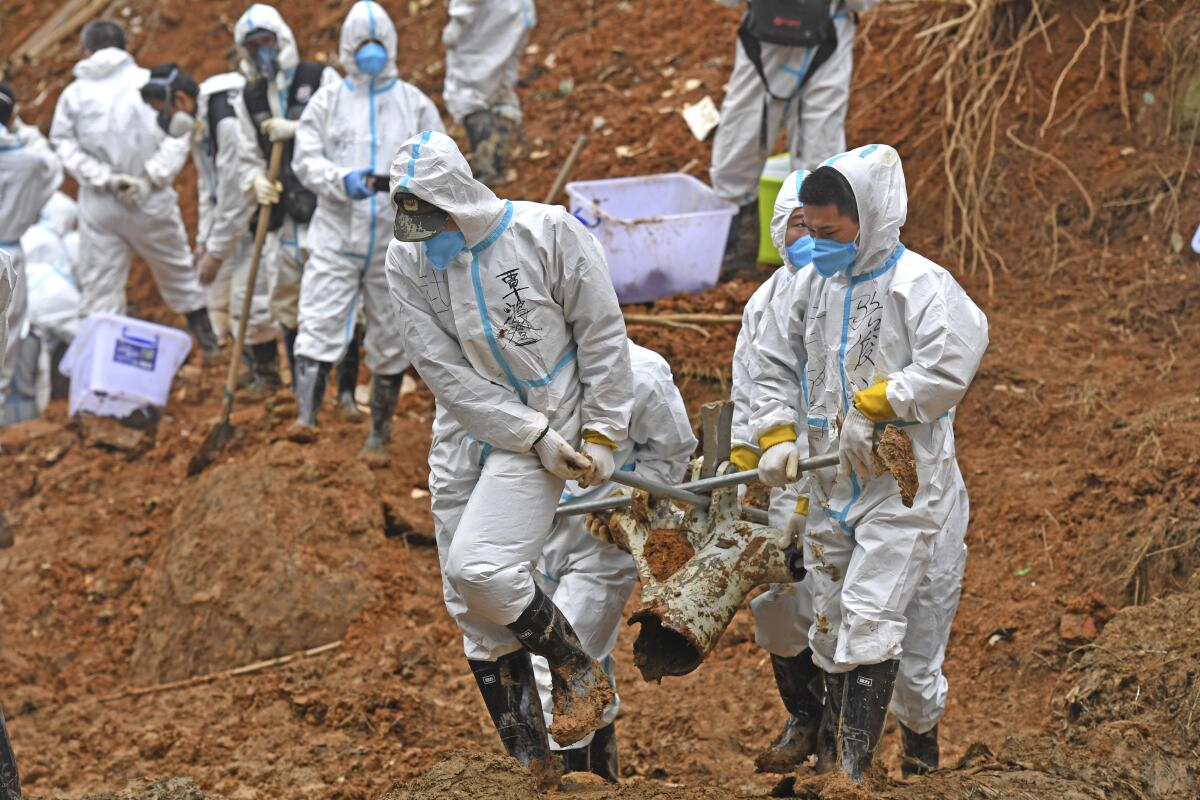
x: 662, y: 233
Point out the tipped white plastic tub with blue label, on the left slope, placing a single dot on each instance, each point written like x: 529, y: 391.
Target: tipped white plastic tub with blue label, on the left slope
x: 119, y: 365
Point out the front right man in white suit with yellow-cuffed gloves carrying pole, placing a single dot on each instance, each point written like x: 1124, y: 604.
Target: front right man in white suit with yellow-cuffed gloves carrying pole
x: 890, y: 338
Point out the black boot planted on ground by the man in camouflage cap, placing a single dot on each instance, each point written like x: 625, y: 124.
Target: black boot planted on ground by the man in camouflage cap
x: 511, y: 695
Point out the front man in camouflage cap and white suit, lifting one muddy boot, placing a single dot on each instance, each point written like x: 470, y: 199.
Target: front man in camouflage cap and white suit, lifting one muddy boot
x: 509, y: 315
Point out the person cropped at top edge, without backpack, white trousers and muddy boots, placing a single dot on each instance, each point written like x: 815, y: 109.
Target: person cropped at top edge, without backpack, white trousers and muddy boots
x: 484, y: 44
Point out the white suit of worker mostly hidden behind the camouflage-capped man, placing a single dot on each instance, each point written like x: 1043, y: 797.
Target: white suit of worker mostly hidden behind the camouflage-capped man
x: 589, y: 580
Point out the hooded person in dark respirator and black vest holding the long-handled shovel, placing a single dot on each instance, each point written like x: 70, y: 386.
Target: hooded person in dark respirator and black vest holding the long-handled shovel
x: 279, y: 86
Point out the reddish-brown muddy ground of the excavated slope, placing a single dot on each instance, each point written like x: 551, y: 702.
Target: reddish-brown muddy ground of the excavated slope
x: 1073, y: 664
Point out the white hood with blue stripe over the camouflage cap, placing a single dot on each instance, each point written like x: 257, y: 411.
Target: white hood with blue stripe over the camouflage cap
x: 431, y: 167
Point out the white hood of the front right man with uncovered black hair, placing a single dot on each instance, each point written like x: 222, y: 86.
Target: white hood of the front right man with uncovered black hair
x: 877, y: 177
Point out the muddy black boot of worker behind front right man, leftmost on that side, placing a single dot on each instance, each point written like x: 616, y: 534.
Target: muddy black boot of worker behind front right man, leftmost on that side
x: 795, y: 676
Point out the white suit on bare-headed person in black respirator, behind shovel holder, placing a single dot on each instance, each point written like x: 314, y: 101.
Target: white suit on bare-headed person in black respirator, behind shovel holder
x: 225, y: 216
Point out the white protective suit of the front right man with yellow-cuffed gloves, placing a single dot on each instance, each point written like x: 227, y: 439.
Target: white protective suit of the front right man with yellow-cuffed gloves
x: 885, y: 579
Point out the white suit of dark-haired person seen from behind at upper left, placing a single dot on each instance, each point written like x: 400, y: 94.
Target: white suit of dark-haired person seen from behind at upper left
x: 103, y: 128
